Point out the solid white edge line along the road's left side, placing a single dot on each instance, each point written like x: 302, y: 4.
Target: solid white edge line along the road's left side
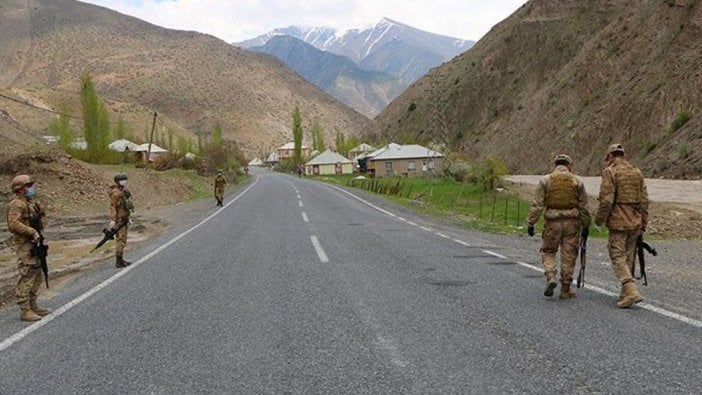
x: 56, y: 313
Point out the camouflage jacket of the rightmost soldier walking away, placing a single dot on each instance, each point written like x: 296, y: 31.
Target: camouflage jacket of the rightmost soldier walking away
x: 611, y: 211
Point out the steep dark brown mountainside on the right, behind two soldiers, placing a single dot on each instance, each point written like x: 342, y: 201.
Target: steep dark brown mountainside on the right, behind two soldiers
x: 568, y: 77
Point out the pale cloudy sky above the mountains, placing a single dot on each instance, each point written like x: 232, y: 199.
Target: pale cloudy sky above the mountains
x: 239, y: 20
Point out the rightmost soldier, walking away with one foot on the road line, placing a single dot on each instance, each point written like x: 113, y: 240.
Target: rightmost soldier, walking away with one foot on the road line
x: 624, y: 209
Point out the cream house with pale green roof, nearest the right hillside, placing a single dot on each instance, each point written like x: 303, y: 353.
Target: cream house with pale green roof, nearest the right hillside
x: 410, y: 160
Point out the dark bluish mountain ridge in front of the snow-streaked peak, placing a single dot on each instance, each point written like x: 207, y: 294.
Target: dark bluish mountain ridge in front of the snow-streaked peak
x: 365, y: 91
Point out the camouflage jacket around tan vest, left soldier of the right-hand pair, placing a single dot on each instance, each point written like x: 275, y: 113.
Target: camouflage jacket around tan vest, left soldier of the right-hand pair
x: 539, y: 205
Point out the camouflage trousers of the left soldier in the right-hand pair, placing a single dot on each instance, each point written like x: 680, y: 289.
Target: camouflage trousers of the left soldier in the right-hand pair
x: 564, y: 234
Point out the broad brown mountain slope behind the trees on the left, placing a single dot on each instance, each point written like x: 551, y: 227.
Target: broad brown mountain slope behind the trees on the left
x: 192, y: 80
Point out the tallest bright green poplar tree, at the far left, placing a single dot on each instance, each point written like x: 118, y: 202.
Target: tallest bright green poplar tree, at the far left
x: 96, y: 121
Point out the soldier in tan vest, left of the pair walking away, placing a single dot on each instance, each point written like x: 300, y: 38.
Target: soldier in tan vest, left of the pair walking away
x: 562, y: 195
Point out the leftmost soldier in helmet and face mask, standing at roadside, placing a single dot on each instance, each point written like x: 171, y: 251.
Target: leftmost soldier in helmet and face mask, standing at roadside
x: 24, y: 220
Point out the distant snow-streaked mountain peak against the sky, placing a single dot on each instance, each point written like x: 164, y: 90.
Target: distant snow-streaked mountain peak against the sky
x: 388, y: 47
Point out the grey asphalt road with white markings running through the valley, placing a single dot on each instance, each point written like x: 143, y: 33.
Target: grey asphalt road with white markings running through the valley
x: 299, y: 287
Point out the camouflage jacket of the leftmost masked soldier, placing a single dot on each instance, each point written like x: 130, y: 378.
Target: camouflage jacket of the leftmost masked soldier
x: 20, y: 213
